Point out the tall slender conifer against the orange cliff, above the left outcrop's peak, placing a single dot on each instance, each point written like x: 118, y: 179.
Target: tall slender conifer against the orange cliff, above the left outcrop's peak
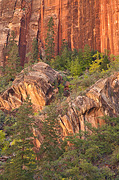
x: 49, y: 41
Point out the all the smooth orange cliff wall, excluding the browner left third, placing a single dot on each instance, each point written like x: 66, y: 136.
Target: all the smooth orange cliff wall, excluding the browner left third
x: 93, y: 22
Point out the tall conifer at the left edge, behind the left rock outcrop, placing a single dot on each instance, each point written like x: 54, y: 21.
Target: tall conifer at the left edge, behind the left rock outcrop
x: 12, y: 65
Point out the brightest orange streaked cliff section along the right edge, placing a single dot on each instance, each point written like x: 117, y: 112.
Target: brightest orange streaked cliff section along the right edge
x: 109, y: 27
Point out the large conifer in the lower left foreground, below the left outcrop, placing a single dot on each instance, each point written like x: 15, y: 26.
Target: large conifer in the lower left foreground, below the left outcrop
x: 21, y: 163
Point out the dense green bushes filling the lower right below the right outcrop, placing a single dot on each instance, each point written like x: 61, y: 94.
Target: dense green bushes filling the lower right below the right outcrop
x: 86, y: 155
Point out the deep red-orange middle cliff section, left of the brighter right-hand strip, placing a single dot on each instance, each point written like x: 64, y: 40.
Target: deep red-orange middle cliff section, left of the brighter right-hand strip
x: 76, y: 21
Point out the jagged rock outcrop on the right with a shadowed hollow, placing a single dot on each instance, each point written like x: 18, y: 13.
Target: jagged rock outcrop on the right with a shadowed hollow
x: 101, y: 99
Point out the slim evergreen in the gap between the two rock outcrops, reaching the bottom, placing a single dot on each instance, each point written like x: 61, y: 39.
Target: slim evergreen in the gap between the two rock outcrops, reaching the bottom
x: 52, y: 145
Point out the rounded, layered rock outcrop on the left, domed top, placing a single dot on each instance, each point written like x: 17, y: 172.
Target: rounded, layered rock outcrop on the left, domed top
x: 35, y: 81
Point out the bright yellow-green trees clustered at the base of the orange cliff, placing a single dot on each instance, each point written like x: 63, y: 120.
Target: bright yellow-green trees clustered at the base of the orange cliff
x: 73, y: 61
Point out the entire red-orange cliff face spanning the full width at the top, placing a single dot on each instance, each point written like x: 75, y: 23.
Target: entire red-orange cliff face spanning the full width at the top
x: 93, y: 22
